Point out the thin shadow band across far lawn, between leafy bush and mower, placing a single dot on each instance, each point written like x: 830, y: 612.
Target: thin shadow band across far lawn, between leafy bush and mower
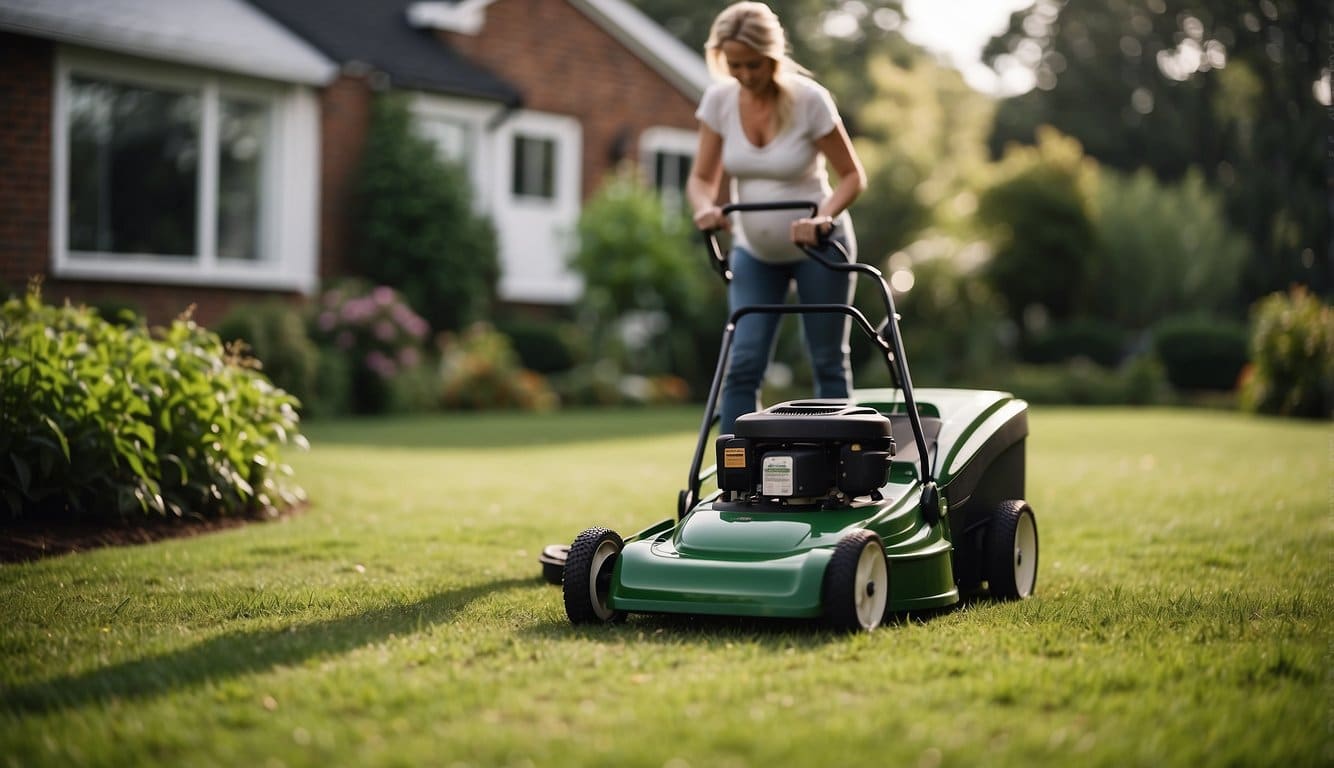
x: 508, y: 430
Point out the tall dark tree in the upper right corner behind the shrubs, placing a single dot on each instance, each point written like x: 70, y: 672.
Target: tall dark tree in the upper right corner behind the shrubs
x: 1227, y: 86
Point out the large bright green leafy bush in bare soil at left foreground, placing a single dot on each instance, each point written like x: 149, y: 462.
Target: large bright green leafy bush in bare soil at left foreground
x: 106, y: 422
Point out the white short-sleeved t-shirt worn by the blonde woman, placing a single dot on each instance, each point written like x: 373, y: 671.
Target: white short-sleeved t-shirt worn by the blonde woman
x: 788, y: 169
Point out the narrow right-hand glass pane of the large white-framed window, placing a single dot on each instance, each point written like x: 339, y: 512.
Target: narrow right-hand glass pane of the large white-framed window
x: 242, y: 135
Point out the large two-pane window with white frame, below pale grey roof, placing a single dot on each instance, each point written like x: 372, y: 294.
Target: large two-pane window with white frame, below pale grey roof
x: 173, y: 177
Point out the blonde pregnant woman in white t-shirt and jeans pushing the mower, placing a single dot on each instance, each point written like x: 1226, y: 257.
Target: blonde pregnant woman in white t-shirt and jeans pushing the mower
x: 772, y: 130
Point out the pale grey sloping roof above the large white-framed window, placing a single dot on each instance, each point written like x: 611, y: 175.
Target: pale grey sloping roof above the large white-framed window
x: 222, y: 35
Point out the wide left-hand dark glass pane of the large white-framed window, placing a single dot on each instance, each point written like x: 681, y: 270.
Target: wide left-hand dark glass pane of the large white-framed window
x: 134, y: 169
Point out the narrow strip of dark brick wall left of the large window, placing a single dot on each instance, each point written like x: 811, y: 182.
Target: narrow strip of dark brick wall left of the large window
x: 26, y: 93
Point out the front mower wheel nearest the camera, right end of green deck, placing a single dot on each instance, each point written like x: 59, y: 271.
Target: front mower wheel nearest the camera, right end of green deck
x: 857, y: 583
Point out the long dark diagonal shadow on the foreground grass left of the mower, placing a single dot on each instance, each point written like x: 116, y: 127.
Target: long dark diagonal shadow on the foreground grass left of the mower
x: 239, y: 654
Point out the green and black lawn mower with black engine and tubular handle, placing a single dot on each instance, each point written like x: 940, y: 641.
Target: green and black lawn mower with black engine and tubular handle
x: 894, y: 501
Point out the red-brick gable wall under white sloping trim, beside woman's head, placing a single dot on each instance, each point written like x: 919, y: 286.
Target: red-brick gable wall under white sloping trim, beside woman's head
x: 566, y: 65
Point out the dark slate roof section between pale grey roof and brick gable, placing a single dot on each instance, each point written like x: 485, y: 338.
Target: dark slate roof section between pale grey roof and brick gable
x: 378, y: 33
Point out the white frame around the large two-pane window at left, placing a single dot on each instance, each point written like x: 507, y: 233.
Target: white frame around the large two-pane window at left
x: 289, y: 194
